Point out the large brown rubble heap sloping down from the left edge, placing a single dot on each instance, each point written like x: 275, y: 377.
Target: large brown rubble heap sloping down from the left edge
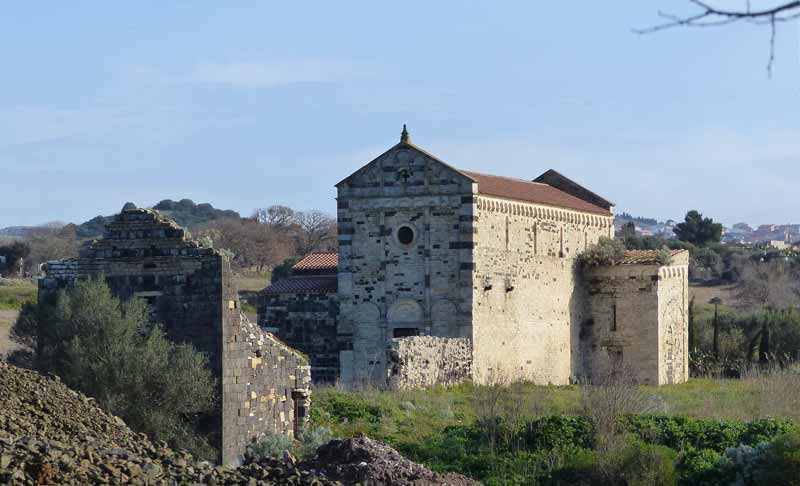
x: 50, y: 434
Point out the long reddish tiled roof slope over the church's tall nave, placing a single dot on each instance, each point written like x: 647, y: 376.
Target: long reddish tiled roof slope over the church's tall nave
x: 535, y: 192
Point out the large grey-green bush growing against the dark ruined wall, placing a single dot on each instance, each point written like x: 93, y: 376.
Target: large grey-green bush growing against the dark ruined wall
x: 109, y: 350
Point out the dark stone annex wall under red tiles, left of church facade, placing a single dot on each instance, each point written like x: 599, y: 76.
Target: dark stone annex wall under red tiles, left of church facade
x: 308, y: 322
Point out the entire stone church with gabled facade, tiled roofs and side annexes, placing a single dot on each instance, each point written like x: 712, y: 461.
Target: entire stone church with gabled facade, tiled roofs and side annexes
x: 444, y: 275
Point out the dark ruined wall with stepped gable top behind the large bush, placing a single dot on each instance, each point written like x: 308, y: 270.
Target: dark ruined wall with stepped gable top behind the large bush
x: 145, y: 255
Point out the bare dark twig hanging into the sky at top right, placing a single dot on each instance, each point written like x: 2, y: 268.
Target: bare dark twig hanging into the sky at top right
x: 709, y: 16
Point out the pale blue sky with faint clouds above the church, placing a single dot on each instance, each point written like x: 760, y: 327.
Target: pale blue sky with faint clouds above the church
x: 248, y: 104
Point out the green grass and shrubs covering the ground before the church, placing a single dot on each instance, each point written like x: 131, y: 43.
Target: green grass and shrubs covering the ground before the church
x: 705, y: 432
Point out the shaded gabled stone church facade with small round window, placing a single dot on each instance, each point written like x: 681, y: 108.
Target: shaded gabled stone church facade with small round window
x: 385, y: 286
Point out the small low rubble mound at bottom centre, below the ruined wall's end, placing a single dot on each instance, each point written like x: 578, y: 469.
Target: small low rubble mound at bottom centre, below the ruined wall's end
x: 363, y: 460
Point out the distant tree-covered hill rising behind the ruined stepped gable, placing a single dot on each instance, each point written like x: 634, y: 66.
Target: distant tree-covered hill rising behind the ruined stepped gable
x: 184, y: 212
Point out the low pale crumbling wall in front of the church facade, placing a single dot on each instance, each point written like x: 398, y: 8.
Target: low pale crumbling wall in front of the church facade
x: 424, y: 361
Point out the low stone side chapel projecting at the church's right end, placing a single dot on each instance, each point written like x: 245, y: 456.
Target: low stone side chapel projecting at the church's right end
x: 640, y: 322
